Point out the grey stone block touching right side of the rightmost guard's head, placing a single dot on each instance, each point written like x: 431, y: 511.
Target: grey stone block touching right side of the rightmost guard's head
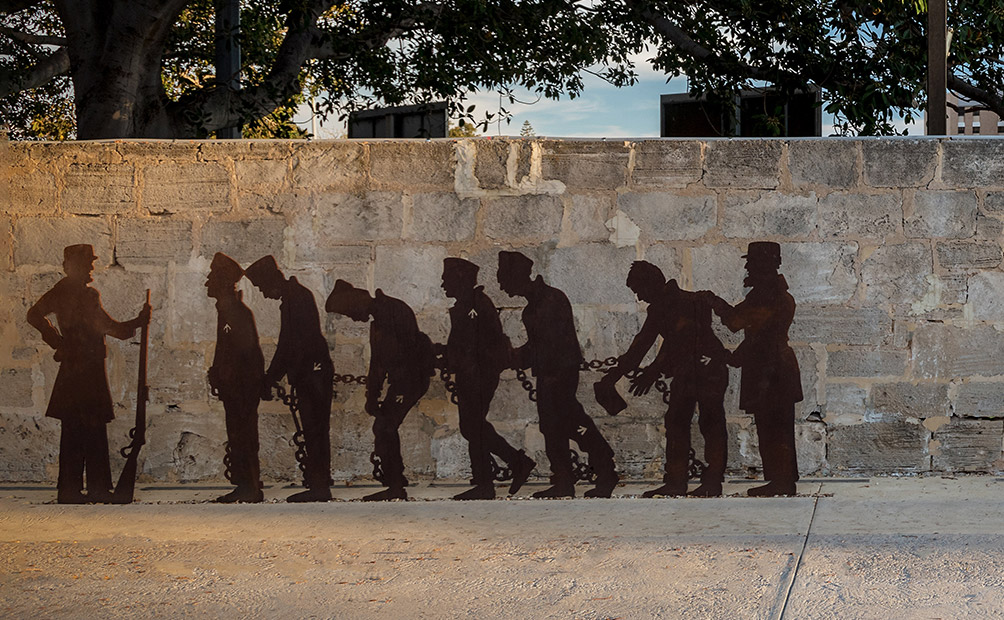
x: 820, y: 273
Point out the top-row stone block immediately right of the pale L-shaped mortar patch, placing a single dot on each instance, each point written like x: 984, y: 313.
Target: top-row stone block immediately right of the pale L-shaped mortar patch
x: 582, y: 165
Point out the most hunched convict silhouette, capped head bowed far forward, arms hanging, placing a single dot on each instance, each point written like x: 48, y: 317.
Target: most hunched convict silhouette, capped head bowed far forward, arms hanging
x: 402, y: 361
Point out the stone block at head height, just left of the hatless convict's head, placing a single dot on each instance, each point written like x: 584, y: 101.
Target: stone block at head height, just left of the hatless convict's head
x: 593, y: 273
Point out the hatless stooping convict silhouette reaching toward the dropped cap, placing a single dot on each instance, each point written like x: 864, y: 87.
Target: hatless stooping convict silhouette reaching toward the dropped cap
x: 694, y: 358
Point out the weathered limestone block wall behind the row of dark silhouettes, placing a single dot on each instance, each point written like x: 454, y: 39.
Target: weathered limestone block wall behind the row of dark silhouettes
x: 892, y: 249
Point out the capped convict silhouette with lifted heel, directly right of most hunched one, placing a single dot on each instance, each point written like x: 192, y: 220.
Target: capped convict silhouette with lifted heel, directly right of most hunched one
x: 476, y: 353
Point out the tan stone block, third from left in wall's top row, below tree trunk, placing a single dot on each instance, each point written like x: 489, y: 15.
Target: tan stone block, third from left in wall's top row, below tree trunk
x: 174, y: 188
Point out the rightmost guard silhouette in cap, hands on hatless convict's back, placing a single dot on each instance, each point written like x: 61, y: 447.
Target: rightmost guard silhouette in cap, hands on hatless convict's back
x: 772, y: 384
